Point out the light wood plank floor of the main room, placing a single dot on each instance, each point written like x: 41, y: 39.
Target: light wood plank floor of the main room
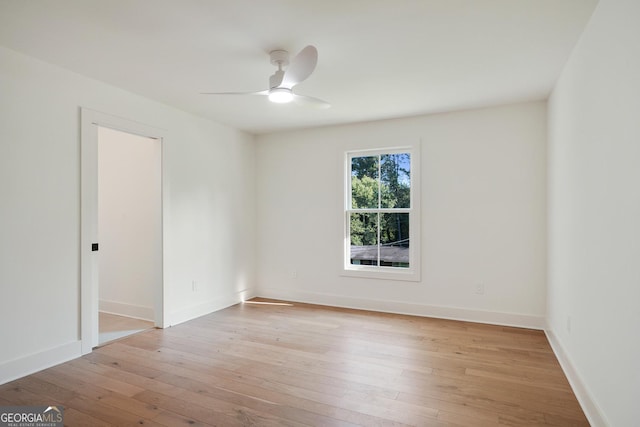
x: 292, y: 365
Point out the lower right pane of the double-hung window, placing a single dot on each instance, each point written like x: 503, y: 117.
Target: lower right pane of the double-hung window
x: 394, y: 239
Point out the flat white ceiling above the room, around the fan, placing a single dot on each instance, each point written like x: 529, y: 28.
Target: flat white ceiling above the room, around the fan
x: 377, y: 58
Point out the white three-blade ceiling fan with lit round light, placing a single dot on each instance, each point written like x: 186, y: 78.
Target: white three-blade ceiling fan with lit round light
x: 281, y: 83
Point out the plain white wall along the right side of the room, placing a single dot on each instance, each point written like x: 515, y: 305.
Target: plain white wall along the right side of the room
x: 594, y: 215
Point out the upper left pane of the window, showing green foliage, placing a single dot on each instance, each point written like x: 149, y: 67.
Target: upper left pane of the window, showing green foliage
x: 364, y: 182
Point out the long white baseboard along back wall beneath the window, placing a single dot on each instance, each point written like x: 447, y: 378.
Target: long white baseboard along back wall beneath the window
x: 441, y: 312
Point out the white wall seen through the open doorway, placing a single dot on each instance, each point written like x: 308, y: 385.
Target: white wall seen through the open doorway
x: 129, y: 223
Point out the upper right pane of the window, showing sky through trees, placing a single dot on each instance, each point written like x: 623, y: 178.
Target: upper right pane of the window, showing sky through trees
x: 395, y: 171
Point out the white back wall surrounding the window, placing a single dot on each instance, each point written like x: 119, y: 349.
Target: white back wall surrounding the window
x: 483, y: 215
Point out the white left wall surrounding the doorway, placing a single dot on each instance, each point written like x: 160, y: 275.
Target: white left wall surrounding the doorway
x: 208, y: 209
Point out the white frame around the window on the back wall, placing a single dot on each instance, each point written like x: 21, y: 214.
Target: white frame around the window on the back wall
x: 412, y: 273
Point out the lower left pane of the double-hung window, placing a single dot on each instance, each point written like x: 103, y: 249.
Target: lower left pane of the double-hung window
x: 364, y: 238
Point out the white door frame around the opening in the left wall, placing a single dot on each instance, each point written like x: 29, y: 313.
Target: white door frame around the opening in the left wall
x: 90, y: 120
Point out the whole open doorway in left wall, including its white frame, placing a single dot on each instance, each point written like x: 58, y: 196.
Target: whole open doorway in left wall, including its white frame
x: 121, y: 228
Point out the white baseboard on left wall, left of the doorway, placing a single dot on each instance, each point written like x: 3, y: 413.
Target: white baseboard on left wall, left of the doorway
x: 27, y: 365
